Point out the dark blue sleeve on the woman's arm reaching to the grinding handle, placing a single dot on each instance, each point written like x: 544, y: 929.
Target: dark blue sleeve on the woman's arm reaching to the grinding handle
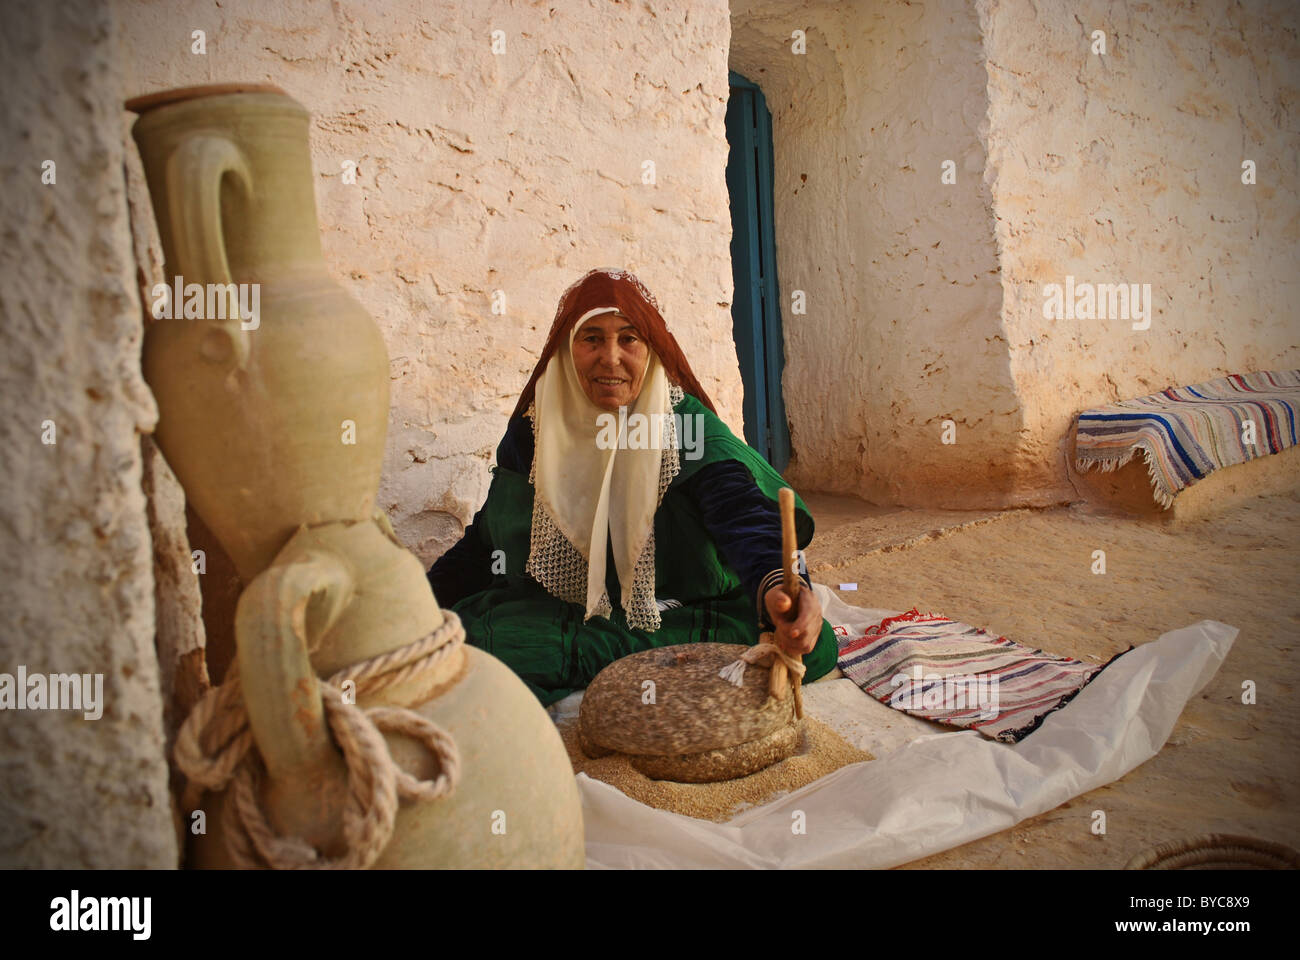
x: 744, y: 525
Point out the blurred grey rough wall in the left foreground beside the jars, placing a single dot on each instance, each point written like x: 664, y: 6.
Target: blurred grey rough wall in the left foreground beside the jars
x: 76, y: 580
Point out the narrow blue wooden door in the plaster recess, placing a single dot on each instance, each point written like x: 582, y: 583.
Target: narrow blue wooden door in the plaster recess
x: 756, y: 306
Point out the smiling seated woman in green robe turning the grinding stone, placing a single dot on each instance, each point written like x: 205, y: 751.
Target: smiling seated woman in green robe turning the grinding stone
x: 609, y: 530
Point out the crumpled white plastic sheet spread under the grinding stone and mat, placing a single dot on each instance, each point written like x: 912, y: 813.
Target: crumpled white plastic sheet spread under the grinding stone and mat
x: 931, y: 792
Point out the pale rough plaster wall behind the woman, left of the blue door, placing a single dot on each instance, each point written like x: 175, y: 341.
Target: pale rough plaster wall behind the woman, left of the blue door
x: 482, y: 172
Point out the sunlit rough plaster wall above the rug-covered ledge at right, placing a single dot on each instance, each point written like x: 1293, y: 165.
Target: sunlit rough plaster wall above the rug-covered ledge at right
x: 1128, y: 168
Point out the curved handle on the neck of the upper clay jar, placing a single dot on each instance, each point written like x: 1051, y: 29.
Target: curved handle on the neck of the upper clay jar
x: 196, y: 174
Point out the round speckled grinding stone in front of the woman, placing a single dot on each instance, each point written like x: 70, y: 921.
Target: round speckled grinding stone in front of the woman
x: 699, y: 728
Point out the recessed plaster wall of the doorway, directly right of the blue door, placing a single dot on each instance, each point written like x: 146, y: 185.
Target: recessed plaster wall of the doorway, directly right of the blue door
x: 903, y: 327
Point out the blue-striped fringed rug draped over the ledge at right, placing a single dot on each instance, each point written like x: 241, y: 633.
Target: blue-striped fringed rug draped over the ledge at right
x: 1186, y: 433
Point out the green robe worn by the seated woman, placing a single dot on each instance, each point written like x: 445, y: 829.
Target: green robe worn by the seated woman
x: 545, y: 641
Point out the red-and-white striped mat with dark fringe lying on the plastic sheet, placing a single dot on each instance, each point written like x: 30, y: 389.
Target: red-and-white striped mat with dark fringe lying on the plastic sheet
x: 952, y: 673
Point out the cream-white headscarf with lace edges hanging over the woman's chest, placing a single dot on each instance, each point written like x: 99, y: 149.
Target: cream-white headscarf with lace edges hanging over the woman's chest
x: 587, y: 496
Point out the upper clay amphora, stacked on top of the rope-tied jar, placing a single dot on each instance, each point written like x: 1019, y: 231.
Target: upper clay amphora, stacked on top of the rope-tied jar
x: 281, y: 425
